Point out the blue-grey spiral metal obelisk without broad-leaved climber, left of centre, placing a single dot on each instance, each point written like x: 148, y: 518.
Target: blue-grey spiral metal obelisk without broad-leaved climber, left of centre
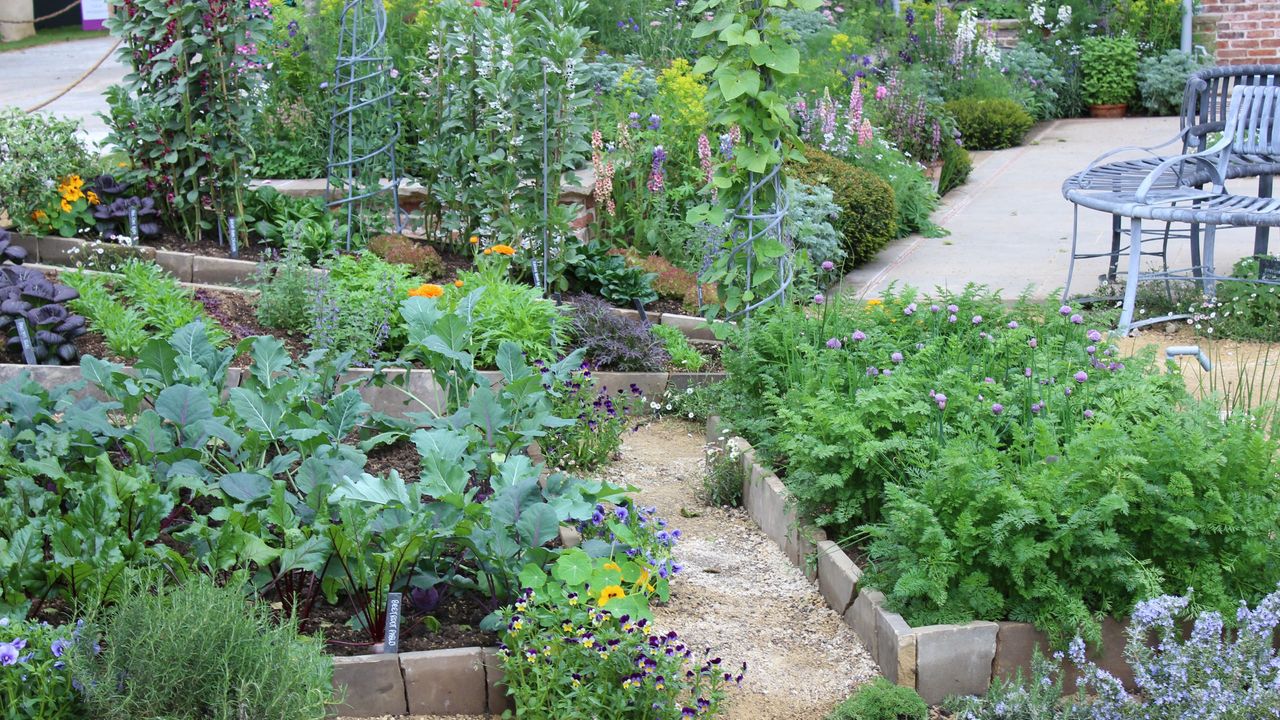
x: 363, y: 179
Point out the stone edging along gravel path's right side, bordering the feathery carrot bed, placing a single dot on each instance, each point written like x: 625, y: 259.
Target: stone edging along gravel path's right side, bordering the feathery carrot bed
x: 935, y: 660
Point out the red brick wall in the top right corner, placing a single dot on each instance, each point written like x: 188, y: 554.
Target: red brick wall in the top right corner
x: 1247, y: 33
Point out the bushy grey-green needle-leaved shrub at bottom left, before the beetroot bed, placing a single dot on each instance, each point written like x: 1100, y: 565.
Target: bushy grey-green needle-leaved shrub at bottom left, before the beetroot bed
x: 235, y: 660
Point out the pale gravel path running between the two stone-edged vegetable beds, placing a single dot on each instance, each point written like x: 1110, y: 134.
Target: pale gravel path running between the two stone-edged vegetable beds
x: 738, y: 593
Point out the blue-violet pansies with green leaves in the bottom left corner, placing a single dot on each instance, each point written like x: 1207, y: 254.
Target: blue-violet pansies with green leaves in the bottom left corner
x: 34, y: 677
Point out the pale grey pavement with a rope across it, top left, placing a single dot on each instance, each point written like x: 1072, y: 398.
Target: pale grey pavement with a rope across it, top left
x: 35, y: 75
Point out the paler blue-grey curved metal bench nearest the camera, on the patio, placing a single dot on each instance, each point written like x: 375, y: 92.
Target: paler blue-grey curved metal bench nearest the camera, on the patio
x: 1173, y: 190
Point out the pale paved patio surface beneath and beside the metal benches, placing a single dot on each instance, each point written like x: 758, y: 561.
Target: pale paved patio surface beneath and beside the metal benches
x: 1011, y: 227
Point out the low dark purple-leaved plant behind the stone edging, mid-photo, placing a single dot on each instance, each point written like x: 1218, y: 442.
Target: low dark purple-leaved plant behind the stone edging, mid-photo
x: 614, y: 341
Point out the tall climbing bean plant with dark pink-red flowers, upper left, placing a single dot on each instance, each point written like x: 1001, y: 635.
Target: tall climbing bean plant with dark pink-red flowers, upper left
x: 182, y: 112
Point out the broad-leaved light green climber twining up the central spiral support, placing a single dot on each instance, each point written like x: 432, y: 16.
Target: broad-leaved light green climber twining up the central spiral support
x: 747, y: 47
